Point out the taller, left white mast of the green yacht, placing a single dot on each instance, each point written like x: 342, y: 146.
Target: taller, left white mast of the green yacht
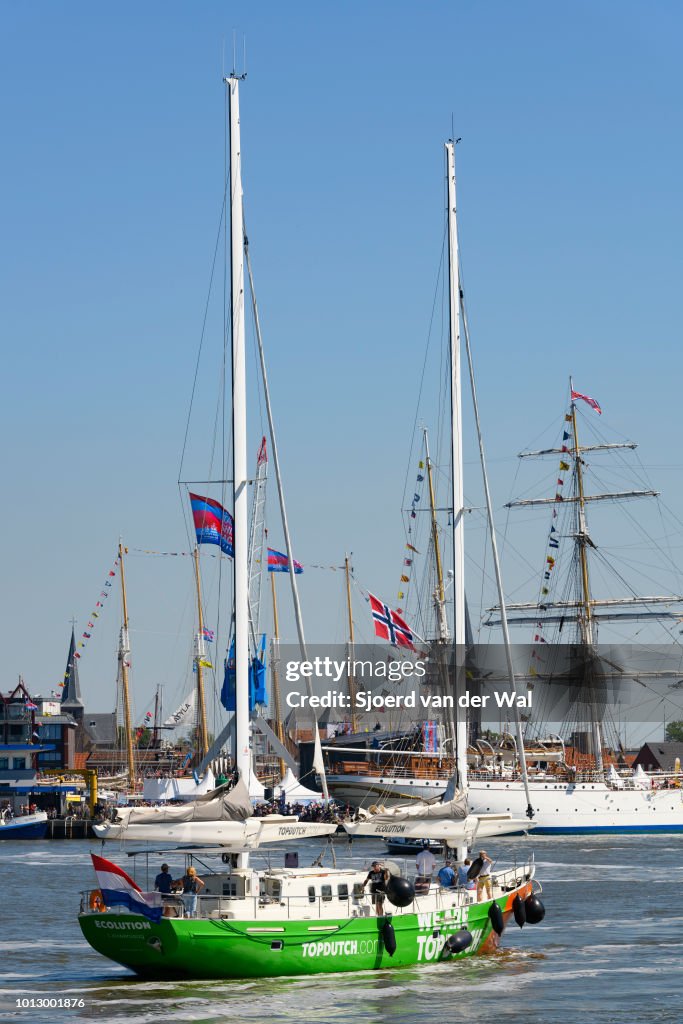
x: 240, y: 480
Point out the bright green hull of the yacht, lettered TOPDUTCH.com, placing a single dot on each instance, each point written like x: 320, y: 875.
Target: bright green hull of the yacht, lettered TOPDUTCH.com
x: 226, y: 949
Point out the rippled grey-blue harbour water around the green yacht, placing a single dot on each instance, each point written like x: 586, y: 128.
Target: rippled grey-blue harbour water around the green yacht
x: 609, y: 952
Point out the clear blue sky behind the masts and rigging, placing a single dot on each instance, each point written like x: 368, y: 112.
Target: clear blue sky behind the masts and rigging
x: 571, y: 223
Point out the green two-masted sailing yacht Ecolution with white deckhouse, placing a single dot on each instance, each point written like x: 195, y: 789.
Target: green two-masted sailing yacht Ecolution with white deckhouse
x: 289, y: 921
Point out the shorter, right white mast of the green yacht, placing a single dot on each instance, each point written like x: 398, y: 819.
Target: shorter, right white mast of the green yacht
x: 457, y: 463
